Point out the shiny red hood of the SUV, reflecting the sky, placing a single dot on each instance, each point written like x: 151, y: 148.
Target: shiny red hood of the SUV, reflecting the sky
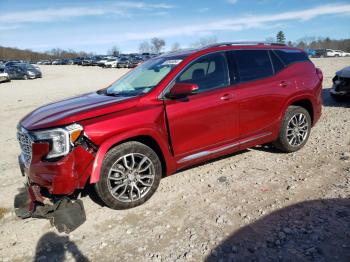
x: 75, y: 109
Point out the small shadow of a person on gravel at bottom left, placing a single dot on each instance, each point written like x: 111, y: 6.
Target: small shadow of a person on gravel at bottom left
x: 52, y: 247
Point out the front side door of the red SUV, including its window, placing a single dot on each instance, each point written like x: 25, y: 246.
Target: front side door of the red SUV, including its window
x: 208, y: 119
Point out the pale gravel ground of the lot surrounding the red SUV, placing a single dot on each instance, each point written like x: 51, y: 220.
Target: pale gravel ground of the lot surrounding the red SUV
x: 256, y: 205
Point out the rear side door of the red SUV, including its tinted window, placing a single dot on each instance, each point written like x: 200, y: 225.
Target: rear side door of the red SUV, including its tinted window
x: 260, y: 92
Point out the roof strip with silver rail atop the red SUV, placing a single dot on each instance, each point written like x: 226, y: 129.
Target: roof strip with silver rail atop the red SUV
x: 227, y: 46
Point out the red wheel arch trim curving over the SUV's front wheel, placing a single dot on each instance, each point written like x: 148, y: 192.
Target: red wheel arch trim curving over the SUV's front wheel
x: 112, y: 141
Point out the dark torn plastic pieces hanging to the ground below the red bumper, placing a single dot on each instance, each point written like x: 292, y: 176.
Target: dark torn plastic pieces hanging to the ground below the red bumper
x: 64, y: 213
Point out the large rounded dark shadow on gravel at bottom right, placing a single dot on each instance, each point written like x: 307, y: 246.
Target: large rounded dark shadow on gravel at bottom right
x: 317, y: 230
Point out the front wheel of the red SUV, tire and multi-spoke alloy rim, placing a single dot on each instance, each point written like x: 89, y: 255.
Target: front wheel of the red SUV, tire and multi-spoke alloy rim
x: 123, y: 169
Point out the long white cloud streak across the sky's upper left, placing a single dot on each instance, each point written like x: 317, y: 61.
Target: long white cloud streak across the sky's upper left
x: 50, y: 14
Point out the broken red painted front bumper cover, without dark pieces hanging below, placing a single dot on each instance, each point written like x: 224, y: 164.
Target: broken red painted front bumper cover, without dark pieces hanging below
x: 61, y: 177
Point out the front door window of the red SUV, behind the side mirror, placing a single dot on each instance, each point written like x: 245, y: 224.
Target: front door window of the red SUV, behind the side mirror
x: 208, y: 72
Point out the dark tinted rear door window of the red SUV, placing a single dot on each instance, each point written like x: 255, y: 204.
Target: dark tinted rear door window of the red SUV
x: 253, y: 64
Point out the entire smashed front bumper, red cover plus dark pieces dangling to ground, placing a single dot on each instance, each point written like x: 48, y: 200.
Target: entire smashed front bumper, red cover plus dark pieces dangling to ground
x: 48, y: 191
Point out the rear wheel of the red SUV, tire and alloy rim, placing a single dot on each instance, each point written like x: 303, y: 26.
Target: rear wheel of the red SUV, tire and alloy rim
x: 295, y: 130
